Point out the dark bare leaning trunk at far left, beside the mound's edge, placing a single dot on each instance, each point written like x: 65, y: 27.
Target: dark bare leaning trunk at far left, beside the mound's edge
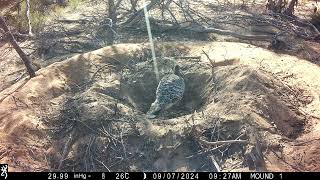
x: 26, y: 60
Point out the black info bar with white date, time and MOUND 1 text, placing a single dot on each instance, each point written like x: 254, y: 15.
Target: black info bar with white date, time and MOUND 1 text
x: 159, y: 175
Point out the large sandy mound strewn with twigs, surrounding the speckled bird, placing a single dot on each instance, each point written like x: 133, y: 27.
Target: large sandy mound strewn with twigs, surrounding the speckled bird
x: 82, y: 114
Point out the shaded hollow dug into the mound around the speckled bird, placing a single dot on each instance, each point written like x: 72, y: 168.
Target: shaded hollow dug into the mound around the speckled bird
x: 139, y: 85
